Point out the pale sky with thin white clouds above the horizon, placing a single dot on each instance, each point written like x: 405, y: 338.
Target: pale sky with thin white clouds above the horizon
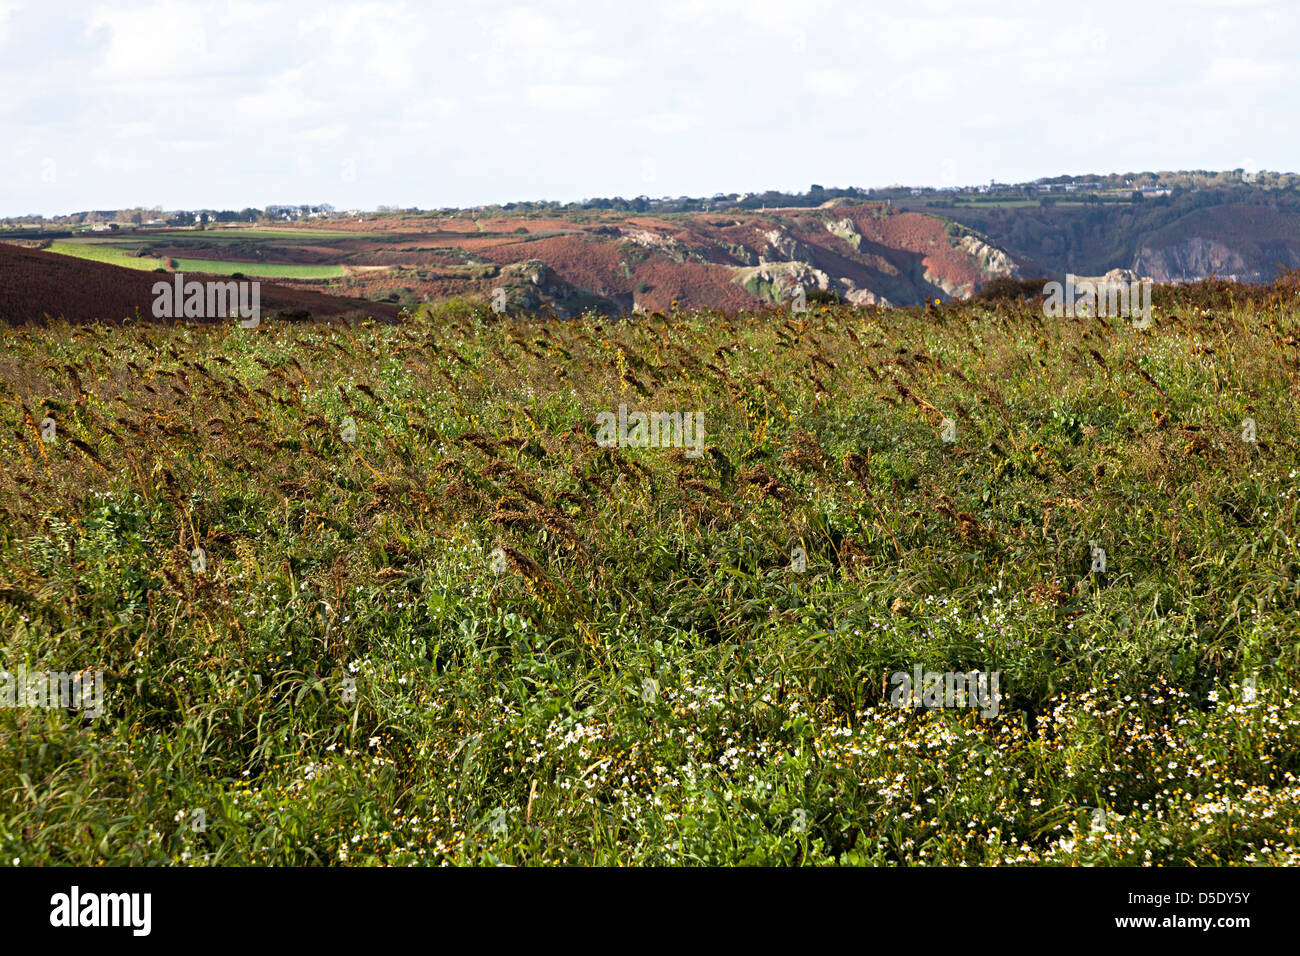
x: 229, y: 103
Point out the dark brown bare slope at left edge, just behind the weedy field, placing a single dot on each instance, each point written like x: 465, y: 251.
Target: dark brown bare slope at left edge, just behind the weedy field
x: 37, y: 288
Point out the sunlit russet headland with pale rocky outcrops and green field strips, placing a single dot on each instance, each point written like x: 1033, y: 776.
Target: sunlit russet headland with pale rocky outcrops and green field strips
x: 596, y: 261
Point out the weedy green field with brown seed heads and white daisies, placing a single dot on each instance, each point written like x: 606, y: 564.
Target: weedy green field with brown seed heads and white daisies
x: 436, y: 622
